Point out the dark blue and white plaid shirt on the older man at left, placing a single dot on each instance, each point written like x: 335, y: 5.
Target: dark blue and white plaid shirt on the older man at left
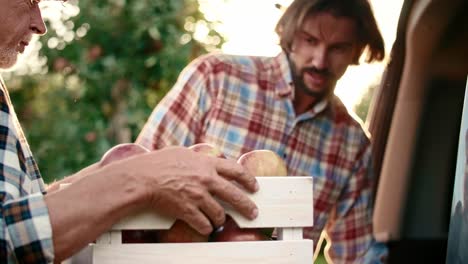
x: 26, y: 234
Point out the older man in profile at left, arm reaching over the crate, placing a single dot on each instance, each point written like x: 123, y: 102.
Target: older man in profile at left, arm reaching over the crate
x: 38, y: 227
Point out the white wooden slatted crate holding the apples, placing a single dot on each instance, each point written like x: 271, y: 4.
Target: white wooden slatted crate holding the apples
x: 285, y: 203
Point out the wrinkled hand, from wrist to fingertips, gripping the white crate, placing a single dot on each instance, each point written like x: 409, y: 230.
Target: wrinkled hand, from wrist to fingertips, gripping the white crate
x: 182, y: 183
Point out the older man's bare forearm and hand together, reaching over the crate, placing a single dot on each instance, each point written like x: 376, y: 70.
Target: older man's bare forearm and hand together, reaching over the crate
x: 175, y: 181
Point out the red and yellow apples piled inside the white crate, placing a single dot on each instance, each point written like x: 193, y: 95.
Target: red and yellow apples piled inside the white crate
x: 257, y: 162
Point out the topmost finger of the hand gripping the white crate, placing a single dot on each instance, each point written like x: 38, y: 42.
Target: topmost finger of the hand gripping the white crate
x: 233, y: 171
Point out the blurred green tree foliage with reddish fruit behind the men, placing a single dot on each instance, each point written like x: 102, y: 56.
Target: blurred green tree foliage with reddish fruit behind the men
x: 106, y: 68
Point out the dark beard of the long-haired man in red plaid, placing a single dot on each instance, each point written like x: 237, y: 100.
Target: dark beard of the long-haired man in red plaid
x: 298, y: 78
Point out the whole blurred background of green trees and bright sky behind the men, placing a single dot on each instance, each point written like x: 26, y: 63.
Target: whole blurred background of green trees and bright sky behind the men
x: 93, y: 79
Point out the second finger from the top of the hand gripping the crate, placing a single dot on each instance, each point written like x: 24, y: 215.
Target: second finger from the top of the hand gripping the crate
x: 231, y: 194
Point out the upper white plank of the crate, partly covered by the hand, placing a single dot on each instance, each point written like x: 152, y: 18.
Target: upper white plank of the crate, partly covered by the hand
x: 282, y: 202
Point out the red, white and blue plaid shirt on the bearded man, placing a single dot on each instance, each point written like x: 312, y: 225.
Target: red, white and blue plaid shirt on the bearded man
x: 240, y: 104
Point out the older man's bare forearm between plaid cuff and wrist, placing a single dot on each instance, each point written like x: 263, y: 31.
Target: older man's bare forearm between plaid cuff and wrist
x: 87, y: 208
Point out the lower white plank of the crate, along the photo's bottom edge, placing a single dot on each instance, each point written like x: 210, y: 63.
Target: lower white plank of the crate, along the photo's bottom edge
x: 265, y: 252
